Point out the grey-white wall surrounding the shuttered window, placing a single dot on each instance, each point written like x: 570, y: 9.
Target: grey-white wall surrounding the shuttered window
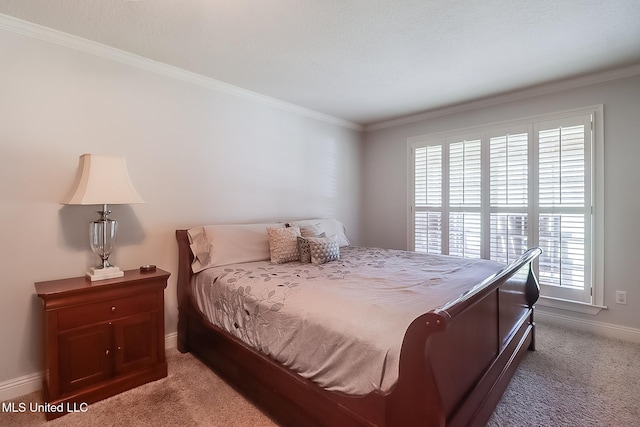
x: 385, y: 182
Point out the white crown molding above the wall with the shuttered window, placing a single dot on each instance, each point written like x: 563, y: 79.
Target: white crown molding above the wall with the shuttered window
x: 542, y: 89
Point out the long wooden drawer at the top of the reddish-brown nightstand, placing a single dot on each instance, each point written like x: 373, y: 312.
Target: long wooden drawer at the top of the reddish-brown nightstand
x: 103, y: 311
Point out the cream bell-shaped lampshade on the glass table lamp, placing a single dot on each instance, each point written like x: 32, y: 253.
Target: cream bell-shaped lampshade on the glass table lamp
x: 102, y: 180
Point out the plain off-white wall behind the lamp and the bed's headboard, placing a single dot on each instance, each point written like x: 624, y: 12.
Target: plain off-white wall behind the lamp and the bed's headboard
x: 196, y: 155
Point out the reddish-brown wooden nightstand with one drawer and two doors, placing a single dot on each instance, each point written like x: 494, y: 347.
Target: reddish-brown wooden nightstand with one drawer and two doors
x: 101, y: 338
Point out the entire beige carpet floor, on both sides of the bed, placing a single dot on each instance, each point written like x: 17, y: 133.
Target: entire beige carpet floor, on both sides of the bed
x: 573, y: 379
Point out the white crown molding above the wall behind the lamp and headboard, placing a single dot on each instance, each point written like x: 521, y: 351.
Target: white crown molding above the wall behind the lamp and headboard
x: 60, y: 38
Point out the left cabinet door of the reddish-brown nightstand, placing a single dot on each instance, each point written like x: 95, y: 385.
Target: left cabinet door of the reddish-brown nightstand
x: 84, y: 357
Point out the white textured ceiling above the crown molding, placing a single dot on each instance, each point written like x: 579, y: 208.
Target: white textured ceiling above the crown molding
x: 364, y: 61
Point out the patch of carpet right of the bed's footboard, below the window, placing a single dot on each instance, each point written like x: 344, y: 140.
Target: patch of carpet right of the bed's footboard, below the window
x: 574, y: 379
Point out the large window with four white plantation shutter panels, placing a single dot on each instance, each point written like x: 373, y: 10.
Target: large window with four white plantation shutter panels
x: 494, y: 192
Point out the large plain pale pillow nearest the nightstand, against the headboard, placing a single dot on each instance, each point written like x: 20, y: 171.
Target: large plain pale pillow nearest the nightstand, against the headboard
x: 215, y: 245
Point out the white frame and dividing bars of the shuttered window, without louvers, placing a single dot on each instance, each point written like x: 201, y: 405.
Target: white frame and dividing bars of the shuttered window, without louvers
x: 595, y: 197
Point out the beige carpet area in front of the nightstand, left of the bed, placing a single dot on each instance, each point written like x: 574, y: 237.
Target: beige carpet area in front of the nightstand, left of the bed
x: 191, y: 395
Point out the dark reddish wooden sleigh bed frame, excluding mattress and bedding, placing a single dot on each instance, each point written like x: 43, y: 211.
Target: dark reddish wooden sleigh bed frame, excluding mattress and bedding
x: 455, y: 362
